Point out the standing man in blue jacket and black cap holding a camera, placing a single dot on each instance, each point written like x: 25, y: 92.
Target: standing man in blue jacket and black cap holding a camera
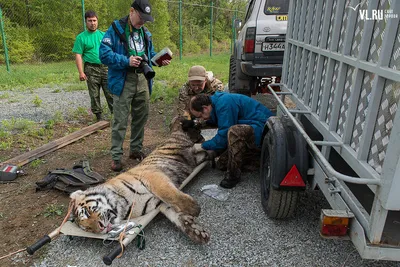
x: 124, y: 49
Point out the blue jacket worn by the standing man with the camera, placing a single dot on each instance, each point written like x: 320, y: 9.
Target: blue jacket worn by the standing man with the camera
x: 114, y: 53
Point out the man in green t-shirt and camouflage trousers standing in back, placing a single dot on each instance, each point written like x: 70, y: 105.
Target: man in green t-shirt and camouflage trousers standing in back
x: 86, y: 49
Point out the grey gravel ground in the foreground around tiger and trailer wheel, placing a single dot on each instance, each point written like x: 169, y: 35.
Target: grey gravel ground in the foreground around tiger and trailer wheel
x: 241, y: 235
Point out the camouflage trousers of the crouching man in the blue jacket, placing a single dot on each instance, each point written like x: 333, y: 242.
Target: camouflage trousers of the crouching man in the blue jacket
x: 242, y: 152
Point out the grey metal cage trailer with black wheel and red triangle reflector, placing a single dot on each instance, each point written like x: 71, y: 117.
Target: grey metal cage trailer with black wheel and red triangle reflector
x: 342, y: 70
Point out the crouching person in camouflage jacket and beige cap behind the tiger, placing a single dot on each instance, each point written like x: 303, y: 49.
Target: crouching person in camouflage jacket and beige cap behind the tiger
x: 199, y: 81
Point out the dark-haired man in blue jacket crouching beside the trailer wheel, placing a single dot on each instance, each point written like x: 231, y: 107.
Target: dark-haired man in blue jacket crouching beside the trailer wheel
x: 240, y: 120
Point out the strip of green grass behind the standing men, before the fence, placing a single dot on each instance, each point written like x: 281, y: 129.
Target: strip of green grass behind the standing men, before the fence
x: 168, y: 80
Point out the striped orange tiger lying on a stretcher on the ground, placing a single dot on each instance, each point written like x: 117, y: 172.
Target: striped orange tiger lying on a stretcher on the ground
x: 153, y: 181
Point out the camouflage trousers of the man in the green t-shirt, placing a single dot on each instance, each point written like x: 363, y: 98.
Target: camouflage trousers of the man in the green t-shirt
x: 96, y: 78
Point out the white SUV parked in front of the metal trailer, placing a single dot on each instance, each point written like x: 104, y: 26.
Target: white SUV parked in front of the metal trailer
x: 258, y: 52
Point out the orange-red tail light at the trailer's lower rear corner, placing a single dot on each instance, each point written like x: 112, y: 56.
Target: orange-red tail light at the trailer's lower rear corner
x: 335, y: 222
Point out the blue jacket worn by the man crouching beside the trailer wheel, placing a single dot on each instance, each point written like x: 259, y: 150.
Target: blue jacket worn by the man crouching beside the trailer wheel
x: 231, y: 109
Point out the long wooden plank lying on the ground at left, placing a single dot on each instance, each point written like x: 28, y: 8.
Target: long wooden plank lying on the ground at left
x: 56, y: 144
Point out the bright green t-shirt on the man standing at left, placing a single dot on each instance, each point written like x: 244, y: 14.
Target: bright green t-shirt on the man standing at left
x: 88, y: 44
